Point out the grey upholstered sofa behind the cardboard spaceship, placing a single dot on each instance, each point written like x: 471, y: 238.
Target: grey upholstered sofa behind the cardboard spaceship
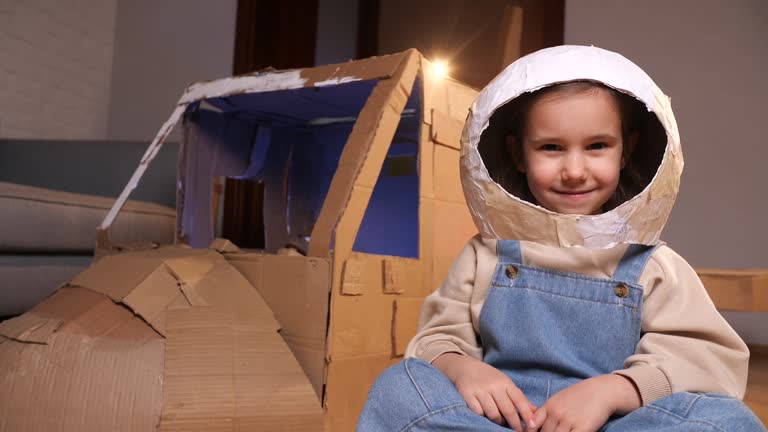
x: 53, y: 195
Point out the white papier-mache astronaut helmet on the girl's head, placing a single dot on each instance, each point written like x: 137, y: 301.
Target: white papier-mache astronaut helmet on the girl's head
x: 499, y: 214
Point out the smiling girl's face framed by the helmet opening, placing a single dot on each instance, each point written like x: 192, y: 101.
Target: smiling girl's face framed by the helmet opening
x: 572, y: 151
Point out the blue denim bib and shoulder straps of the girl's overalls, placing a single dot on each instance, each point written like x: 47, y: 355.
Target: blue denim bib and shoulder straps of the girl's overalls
x: 548, y: 329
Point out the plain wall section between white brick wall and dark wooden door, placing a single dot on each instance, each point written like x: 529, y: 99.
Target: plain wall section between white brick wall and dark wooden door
x: 161, y: 47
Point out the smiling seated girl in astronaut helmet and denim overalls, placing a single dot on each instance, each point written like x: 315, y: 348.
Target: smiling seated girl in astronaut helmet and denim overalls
x: 566, y: 313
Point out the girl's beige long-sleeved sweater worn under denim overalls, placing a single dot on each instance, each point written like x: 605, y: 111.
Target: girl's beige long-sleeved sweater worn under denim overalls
x: 686, y: 345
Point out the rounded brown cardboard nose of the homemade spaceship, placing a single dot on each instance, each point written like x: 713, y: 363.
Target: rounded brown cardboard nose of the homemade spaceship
x: 174, y: 337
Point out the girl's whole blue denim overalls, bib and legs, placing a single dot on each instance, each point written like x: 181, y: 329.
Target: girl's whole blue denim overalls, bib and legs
x: 548, y: 329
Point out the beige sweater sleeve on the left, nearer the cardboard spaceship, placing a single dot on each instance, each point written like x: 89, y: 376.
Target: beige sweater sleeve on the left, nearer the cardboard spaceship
x: 445, y: 323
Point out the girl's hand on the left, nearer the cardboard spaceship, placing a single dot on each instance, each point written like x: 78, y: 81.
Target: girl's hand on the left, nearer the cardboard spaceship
x: 487, y: 391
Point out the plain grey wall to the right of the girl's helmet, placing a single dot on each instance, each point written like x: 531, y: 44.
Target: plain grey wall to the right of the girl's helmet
x: 710, y: 57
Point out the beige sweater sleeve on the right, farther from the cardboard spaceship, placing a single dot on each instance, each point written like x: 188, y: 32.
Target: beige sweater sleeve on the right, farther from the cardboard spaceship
x: 686, y: 344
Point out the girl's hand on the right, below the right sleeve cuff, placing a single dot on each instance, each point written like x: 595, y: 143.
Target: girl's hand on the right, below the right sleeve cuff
x: 586, y: 406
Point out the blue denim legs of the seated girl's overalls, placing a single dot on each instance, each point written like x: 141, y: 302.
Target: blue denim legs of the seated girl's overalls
x: 415, y: 396
